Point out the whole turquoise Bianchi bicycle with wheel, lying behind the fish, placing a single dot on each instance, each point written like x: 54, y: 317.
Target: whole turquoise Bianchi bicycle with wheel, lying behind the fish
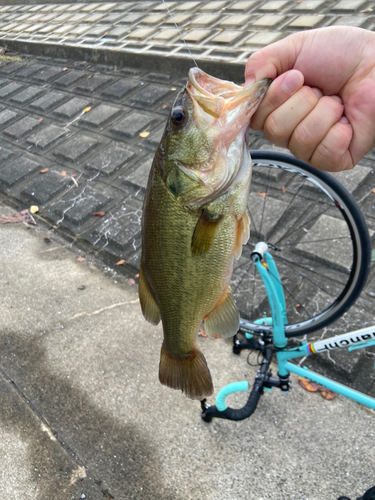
x: 304, y: 287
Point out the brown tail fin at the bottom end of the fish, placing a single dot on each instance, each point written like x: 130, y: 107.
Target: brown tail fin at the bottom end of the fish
x: 190, y: 374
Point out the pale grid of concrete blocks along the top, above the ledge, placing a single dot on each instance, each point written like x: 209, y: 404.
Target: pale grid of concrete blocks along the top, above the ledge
x: 148, y: 29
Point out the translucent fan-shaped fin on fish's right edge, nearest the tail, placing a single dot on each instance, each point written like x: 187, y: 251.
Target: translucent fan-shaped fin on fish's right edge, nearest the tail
x: 224, y: 320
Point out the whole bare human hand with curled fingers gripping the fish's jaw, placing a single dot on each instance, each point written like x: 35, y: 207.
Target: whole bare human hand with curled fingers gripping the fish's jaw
x: 321, y: 104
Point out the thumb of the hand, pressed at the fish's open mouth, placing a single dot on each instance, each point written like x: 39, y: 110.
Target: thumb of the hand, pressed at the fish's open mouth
x: 273, y: 60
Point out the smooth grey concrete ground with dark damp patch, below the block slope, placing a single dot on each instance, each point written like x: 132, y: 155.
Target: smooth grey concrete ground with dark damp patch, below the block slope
x: 84, y: 416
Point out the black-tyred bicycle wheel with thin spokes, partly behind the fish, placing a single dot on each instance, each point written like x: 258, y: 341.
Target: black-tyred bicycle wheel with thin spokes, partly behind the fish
x: 324, y: 249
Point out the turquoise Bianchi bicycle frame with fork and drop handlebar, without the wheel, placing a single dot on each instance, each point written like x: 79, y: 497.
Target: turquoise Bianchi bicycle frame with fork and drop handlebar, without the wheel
x: 353, y: 340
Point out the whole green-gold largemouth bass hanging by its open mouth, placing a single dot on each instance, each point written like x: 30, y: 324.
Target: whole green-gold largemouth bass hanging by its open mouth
x: 195, y: 222
